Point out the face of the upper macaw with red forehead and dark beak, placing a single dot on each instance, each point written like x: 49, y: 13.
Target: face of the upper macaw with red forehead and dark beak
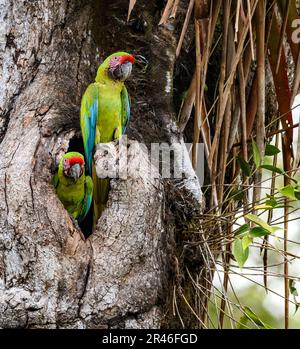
x: 120, y: 67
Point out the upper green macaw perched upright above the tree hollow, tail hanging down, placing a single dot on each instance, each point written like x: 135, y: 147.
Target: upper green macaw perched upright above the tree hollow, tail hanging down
x: 104, y: 115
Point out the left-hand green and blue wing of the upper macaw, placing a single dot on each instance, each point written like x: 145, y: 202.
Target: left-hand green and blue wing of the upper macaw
x: 88, y: 120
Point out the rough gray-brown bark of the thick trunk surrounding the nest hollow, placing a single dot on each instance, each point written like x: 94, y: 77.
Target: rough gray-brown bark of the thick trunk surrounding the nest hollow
x: 50, y: 276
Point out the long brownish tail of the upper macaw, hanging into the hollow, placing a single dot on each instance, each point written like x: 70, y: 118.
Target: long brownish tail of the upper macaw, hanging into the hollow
x: 100, y: 196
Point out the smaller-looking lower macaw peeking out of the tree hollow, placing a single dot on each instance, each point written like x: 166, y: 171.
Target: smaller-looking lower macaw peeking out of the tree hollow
x: 74, y: 189
